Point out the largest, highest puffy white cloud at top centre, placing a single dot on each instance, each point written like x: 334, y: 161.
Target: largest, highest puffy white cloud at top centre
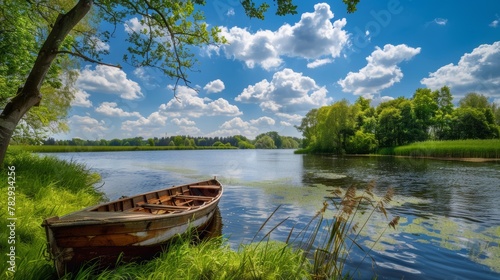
x: 313, y: 37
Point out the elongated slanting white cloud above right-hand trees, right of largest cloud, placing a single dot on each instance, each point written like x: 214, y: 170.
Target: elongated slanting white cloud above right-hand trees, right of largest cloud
x: 381, y: 71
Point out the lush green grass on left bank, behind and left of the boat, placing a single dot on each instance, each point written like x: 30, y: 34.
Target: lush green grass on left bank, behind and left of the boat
x: 43, y: 187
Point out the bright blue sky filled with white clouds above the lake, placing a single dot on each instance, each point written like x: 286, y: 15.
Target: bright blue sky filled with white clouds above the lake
x: 274, y: 71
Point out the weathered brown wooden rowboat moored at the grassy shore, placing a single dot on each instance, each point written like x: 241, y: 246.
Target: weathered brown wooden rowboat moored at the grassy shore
x: 132, y: 227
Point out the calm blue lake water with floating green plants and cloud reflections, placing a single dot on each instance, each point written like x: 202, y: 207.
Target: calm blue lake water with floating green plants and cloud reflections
x: 450, y: 210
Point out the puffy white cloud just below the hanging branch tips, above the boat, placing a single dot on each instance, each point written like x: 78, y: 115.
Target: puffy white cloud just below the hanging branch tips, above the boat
x: 188, y: 103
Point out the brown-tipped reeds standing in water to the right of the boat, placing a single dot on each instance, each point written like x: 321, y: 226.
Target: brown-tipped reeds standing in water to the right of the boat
x: 328, y: 240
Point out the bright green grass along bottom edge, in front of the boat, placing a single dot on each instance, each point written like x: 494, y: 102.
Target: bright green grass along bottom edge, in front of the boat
x: 212, y: 259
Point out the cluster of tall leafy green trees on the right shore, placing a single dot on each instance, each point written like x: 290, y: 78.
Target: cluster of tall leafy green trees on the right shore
x: 360, y: 128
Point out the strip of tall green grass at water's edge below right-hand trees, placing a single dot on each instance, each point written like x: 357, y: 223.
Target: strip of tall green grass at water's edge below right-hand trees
x: 448, y: 149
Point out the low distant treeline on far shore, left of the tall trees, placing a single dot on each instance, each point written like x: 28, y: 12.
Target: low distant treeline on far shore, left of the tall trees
x: 269, y: 140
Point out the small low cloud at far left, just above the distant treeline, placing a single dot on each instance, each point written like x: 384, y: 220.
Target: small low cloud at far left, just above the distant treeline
x: 87, y: 127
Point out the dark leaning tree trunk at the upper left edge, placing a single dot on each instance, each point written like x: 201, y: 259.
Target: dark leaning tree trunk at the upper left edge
x: 29, y: 94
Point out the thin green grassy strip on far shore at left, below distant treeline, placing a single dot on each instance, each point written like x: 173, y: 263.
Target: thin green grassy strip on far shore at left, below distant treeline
x: 69, y: 149
